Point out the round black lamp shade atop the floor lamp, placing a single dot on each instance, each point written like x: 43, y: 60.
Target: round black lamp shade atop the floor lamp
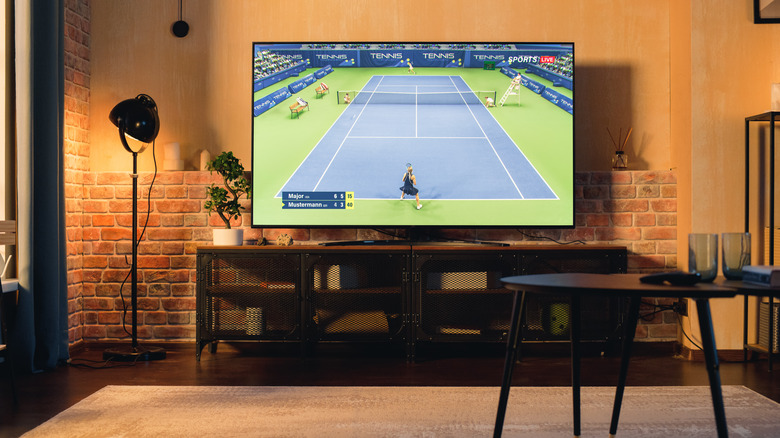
x: 136, y: 118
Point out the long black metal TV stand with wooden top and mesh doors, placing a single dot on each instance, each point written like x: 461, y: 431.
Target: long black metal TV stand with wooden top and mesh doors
x: 405, y: 295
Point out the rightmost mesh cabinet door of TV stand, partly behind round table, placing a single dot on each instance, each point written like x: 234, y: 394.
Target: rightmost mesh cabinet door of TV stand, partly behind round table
x: 547, y: 317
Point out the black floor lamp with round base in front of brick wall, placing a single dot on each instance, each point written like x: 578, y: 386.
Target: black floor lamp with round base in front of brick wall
x: 136, y: 118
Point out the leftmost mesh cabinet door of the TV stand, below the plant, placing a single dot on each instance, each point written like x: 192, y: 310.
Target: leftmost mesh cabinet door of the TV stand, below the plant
x: 248, y: 297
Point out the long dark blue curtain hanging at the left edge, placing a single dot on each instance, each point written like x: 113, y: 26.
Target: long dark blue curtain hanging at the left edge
x: 40, y: 335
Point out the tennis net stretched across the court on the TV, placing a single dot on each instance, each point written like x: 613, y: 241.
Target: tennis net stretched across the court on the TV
x: 418, y: 98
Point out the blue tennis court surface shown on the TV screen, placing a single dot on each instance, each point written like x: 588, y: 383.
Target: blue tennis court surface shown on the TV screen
x: 457, y: 148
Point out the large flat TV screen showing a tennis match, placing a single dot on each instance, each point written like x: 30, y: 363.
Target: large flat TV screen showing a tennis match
x: 413, y: 135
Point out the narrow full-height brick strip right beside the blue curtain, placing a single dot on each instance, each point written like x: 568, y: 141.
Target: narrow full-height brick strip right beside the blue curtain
x: 76, y: 150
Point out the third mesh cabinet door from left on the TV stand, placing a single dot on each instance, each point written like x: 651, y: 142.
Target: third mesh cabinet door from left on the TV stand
x: 460, y: 297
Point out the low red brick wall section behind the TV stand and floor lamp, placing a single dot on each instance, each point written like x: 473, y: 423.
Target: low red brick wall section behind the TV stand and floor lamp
x: 635, y: 209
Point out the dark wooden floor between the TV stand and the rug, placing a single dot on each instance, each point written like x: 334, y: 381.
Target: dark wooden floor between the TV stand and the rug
x: 45, y: 394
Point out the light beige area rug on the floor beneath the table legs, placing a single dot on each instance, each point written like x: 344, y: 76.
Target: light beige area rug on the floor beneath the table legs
x: 263, y: 411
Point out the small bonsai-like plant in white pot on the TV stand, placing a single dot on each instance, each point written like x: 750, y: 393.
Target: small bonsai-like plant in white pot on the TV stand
x: 225, y: 200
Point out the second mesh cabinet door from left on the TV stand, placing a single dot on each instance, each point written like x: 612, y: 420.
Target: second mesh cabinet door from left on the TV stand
x: 355, y: 296
